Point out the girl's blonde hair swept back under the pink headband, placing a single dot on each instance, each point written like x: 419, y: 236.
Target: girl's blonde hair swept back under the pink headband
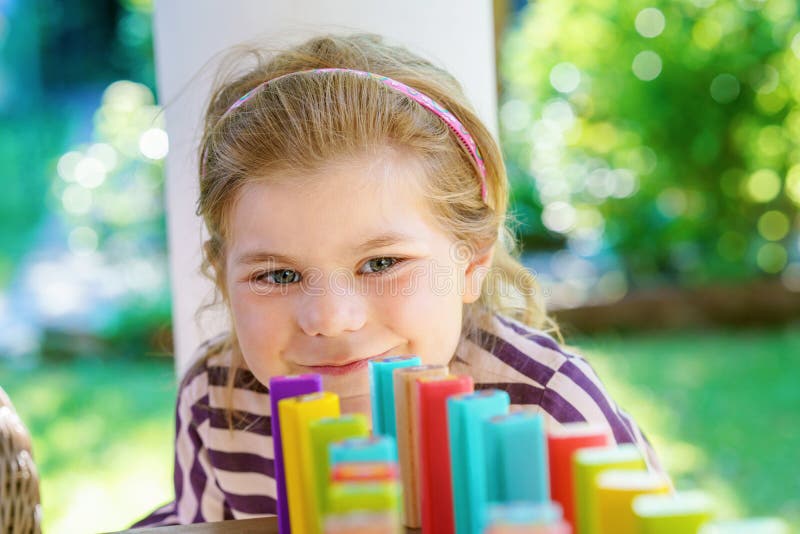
x: 302, y: 123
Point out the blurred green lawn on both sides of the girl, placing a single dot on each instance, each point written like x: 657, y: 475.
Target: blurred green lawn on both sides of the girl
x: 721, y: 408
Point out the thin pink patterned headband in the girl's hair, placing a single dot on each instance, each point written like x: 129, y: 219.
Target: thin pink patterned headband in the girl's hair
x: 452, y: 122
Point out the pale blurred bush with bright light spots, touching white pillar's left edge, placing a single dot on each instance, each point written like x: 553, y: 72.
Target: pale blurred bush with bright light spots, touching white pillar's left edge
x: 110, y: 197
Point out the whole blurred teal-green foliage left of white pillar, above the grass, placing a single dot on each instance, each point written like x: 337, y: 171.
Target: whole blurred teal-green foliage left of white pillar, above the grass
x: 82, y: 229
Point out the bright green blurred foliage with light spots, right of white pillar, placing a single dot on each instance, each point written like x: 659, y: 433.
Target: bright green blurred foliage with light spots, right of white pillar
x: 662, y: 132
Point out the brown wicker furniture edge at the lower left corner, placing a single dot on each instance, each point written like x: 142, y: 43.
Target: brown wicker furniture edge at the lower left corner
x: 20, y: 511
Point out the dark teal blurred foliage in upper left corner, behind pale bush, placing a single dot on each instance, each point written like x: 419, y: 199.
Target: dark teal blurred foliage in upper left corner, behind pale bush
x: 50, y: 50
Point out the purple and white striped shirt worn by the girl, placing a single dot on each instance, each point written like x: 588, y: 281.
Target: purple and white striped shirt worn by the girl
x: 221, y: 474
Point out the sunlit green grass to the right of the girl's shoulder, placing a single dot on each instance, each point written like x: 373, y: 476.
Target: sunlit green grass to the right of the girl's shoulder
x: 722, y: 408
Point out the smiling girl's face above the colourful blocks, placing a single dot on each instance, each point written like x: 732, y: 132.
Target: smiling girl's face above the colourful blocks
x: 325, y: 276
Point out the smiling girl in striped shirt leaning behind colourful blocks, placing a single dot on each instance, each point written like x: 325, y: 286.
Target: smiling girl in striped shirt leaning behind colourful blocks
x: 356, y: 208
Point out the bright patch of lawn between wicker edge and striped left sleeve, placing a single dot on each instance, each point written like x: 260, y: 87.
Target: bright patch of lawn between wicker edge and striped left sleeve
x: 102, y: 438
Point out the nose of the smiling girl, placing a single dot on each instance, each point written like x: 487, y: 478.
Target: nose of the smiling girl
x: 331, y: 309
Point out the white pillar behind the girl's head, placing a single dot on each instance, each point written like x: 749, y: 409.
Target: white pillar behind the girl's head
x: 456, y: 34
